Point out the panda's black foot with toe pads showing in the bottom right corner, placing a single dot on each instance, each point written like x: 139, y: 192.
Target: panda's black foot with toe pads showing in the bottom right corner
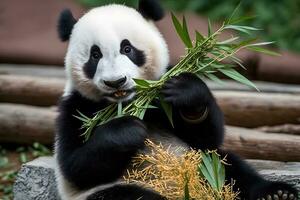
x: 273, y: 191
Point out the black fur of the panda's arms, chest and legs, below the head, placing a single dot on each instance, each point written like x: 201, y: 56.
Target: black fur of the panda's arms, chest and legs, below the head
x: 107, y: 153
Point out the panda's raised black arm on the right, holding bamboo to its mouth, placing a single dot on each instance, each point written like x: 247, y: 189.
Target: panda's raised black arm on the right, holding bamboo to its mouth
x: 197, y: 118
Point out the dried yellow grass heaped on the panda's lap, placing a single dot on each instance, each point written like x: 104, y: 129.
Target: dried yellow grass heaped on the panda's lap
x: 167, y: 173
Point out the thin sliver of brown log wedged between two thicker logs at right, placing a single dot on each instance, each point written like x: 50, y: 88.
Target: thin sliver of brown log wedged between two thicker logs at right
x: 293, y: 129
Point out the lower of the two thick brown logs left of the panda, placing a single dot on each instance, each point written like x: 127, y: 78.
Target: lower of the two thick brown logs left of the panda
x: 26, y: 124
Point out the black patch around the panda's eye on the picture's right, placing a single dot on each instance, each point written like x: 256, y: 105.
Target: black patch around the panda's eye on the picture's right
x: 135, y: 55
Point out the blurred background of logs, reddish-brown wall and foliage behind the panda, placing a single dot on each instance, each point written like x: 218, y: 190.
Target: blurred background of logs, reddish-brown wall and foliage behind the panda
x: 261, y: 125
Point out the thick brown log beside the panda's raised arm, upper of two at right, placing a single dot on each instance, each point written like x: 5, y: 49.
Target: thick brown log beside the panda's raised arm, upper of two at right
x: 249, y: 109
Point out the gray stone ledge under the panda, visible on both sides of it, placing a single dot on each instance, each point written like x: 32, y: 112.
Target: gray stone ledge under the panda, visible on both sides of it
x: 36, y: 181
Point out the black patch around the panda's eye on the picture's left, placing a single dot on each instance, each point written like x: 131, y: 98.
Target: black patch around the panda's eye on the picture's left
x: 90, y: 66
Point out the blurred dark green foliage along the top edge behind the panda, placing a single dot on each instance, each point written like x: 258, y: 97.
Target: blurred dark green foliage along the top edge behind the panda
x: 279, y: 19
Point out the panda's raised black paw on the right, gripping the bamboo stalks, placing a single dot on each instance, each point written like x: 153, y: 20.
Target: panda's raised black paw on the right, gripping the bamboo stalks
x: 186, y: 91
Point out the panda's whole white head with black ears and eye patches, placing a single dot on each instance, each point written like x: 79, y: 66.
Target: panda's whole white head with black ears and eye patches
x: 111, y: 45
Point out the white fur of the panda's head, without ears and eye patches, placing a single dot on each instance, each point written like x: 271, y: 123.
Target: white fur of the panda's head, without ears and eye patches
x: 106, y: 27
